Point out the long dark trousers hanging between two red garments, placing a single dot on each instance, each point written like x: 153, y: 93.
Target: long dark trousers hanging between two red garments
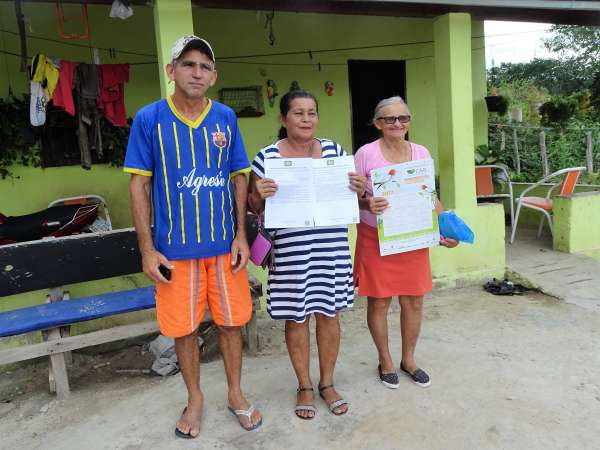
x: 87, y: 92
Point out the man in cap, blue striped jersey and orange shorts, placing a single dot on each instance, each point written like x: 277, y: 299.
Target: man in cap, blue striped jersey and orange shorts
x: 187, y: 154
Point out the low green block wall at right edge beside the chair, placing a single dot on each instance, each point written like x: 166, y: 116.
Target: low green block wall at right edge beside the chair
x: 577, y: 222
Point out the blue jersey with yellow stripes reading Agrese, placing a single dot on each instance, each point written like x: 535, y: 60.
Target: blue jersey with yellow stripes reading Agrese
x: 191, y: 165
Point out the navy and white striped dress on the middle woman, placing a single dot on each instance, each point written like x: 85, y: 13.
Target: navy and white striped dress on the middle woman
x: 313, y: 269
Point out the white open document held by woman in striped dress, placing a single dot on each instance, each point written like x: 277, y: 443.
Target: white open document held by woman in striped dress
x: 310, y: 192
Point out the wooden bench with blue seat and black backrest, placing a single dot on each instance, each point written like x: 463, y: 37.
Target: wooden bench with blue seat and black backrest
x: 53, y: 263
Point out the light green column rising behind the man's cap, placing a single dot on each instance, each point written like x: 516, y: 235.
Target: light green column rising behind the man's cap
x: 172, y: 20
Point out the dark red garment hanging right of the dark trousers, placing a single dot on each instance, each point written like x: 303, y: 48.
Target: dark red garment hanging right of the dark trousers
x: 112, y: 92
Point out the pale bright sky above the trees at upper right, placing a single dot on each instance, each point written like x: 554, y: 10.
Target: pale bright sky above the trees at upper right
x: 514, y: 42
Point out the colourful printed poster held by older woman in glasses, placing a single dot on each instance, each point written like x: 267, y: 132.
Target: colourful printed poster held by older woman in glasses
x: 410, y: 222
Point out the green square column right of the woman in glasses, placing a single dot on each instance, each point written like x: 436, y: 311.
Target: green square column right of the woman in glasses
x: 454, y: 92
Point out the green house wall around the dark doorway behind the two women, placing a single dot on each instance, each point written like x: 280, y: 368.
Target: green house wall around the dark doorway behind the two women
x: 304, y: 32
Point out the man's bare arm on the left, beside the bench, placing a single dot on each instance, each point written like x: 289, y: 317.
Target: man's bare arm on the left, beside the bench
x: 139, y: 189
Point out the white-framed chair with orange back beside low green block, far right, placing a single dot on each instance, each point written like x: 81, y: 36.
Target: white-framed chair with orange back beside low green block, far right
x: 544, y: 204
